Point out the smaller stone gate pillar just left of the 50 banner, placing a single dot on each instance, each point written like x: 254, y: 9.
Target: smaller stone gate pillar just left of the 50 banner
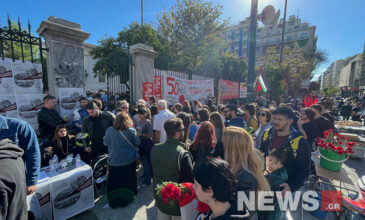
x: 143, y: 65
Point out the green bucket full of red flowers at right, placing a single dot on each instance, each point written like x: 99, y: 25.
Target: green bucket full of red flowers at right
x: 334, y: 149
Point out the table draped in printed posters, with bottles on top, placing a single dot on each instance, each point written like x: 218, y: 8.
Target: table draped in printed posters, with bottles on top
x: 63, y: 193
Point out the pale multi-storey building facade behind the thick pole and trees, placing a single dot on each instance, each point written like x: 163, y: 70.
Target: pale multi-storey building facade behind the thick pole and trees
x: 296, y: 31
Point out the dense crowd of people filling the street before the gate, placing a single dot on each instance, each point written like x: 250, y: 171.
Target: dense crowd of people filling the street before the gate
x: 222, y: 149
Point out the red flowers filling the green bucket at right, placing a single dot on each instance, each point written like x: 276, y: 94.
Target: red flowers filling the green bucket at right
x: 335, y: 142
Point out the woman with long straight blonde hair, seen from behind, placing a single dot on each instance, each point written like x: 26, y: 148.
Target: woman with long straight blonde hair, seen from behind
x: 246, y: 162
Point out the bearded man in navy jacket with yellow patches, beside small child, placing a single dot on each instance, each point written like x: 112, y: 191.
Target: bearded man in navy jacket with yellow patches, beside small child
x: 286, y: 139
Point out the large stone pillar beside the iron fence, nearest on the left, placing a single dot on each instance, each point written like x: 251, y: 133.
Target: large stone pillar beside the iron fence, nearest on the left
x: 65, y: 55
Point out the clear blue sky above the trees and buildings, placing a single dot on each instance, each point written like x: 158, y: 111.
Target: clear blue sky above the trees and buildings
x: 340, y: 23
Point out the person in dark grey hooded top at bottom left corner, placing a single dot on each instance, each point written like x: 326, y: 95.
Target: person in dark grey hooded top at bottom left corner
x: 12, y: 182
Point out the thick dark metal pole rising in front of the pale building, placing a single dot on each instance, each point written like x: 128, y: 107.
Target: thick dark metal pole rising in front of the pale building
x: 252, y: 49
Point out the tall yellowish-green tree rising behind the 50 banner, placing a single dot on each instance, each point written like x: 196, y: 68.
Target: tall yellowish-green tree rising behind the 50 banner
x: 190, y: 31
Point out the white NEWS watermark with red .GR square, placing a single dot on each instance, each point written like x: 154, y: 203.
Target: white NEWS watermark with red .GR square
x: 311, y: 200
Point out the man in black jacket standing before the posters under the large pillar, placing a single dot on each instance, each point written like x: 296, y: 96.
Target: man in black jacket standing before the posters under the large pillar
x: 49, y: 118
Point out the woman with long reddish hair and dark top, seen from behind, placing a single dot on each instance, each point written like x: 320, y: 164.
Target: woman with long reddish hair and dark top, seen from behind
x: 205, y: 143
